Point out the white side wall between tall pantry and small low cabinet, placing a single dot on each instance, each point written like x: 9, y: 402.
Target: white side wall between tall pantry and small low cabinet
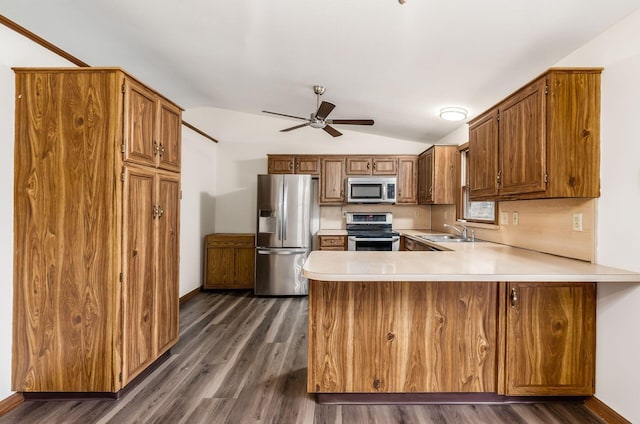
x: 198, y: 205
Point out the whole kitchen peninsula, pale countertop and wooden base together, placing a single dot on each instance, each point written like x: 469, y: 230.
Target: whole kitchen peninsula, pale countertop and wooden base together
x: 478, y: 319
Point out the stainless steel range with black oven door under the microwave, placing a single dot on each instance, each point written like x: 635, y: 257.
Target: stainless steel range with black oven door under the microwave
x: 371, y: 231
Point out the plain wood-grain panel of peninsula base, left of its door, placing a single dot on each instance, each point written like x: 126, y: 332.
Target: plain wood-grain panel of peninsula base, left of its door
x: 390, y: 337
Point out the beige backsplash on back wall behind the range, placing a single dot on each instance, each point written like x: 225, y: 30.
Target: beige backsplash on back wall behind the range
x: 404, y: 217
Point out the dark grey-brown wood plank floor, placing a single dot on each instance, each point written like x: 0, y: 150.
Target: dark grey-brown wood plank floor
x: 242, y: 359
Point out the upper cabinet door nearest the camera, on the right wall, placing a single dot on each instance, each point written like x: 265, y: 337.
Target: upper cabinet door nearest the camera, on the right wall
x: 522, y: 132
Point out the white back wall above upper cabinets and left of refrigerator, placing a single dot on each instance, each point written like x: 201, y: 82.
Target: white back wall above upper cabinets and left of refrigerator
x: 245, y: 139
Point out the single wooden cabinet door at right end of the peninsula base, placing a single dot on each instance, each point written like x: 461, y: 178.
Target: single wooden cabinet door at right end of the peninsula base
x: 550, y: 339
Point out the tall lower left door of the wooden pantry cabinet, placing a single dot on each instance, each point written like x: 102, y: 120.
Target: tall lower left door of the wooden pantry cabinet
x: 139, y: 265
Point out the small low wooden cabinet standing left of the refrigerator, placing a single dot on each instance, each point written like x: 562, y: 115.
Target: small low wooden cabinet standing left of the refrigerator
x: 229, y: 261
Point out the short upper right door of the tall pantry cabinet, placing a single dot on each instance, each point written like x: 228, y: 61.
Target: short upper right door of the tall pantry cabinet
x: 169, y: 136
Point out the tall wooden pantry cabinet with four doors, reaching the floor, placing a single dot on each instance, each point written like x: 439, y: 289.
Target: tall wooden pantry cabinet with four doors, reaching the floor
x: 96, y: 220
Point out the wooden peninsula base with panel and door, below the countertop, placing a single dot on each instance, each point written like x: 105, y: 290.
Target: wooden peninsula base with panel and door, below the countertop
x: 511, y: 339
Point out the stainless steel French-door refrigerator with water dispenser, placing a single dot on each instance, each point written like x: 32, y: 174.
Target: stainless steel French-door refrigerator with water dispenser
x: 284, y: 234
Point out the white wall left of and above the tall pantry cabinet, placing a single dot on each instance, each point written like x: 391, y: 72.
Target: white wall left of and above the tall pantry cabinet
x: 15, y: 51
